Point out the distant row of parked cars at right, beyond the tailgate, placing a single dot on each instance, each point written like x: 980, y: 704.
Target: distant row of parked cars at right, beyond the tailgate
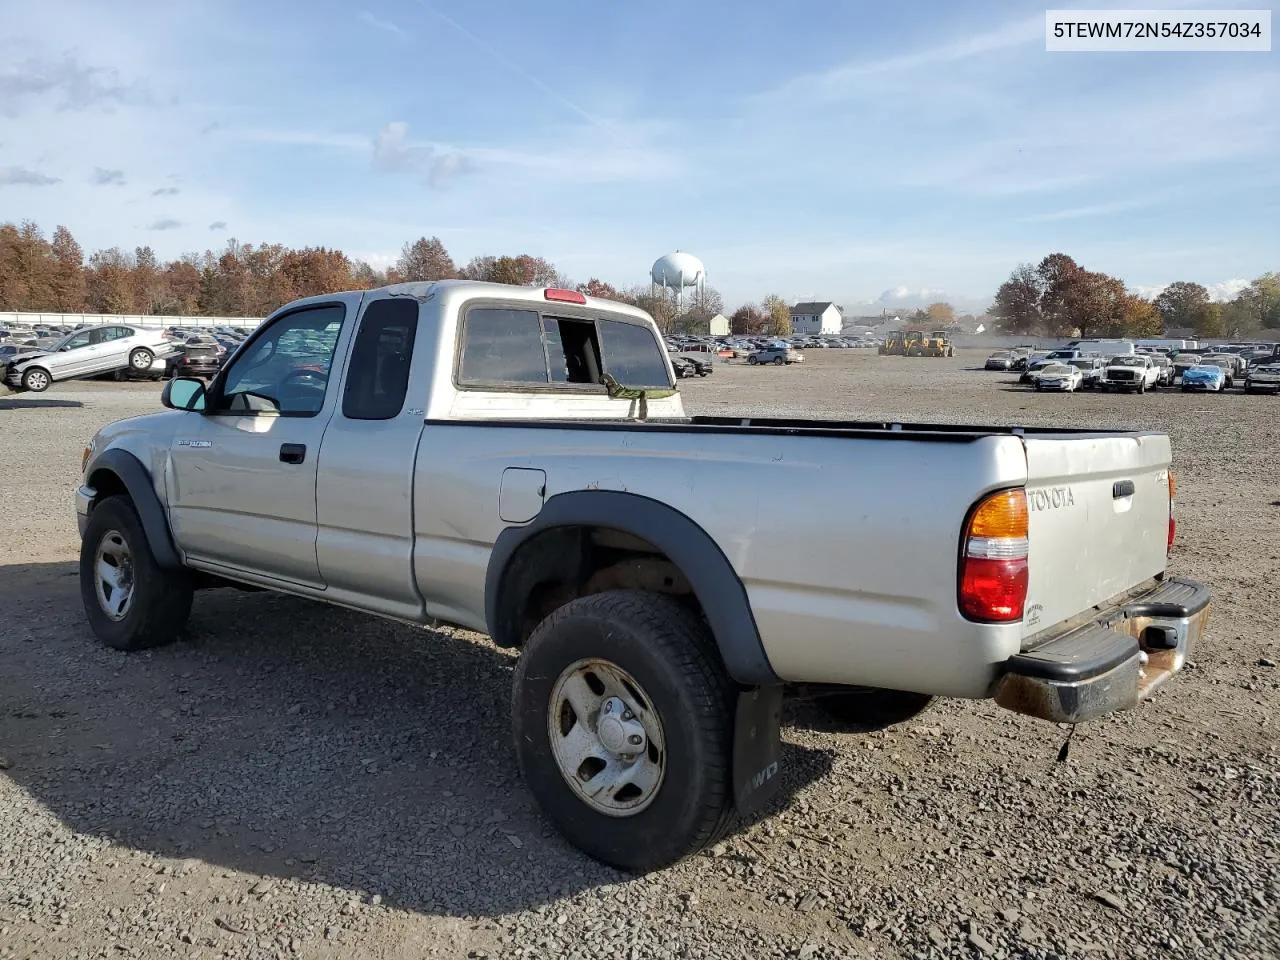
x: 1213, y: 371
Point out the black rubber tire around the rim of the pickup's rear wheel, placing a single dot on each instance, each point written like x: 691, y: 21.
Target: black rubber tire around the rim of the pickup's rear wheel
x: 668, y: 651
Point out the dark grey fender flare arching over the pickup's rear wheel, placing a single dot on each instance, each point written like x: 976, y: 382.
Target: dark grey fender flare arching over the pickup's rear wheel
x: 715, y: 582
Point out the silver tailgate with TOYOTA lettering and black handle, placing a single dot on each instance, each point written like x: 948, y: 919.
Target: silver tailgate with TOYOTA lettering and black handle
x: 1099, y: 520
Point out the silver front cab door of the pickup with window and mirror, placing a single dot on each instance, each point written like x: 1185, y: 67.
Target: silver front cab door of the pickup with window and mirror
x: 243, y: 482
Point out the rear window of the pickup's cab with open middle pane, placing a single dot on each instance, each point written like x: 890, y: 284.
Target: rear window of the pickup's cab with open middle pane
x: 510, y: 348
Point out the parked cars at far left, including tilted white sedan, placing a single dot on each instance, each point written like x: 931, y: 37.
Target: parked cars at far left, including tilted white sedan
x: 121, y: 351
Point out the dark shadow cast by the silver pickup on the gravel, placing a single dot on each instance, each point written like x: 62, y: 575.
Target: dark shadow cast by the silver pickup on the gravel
x: 294, y: 740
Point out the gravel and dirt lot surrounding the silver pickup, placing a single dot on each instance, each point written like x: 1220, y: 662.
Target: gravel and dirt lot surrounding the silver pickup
x: 303, y: 781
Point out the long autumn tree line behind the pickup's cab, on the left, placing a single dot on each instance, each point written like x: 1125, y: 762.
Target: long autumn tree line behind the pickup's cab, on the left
x: 53, y: 276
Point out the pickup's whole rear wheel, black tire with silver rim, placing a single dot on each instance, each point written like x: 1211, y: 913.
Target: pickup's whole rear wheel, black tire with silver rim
x: 623, y: 720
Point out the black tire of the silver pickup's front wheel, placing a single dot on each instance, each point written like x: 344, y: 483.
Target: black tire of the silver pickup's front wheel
x: 159, y: 602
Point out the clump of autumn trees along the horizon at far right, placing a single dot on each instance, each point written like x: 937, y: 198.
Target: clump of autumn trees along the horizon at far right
x: 1060, y: 298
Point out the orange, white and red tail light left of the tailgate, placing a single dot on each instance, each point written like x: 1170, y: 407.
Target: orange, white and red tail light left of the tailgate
x: 994, y: 561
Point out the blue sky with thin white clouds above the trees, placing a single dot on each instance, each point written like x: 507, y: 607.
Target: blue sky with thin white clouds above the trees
x: 879, y: 156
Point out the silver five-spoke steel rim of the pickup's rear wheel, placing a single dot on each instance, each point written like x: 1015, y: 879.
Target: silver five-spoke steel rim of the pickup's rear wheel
x: 607, y: 738
